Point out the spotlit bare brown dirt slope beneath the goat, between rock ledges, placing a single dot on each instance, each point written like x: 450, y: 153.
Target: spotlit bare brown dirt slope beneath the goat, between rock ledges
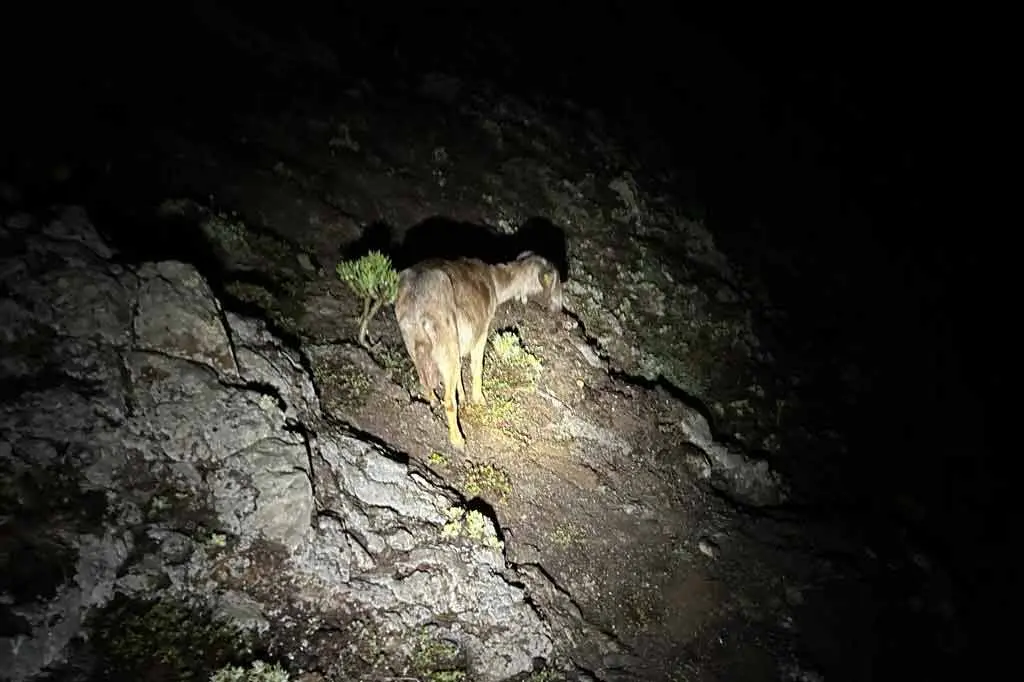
x: 576, y: 465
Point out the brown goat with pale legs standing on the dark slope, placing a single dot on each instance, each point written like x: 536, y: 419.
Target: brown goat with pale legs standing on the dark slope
x: 445, y: 310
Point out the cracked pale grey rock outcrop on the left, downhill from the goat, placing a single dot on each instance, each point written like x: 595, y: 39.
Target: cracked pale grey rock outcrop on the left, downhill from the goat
x: 192, y: 454
